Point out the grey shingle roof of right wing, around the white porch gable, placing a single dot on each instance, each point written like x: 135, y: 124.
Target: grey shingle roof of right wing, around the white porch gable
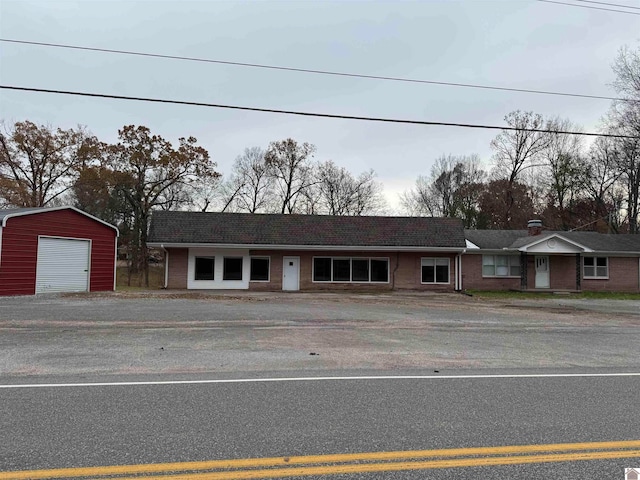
x: 498, y: 239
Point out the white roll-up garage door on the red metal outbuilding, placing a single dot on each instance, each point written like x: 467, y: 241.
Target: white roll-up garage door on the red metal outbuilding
x: 63, y: 265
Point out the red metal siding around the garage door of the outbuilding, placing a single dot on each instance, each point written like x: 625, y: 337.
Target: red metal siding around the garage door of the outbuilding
x: 20, y: 248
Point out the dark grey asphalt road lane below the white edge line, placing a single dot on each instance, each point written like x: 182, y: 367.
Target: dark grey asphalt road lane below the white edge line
x: 81, y: 426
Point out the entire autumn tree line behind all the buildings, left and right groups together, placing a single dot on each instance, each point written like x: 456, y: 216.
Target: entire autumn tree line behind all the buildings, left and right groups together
x: 560, y: 178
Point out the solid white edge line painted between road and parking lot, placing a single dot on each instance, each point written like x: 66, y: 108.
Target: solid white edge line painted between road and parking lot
x: 317, y: 379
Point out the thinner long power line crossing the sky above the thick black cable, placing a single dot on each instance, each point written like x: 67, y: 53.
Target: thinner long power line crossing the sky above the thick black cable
x: 306, y: 70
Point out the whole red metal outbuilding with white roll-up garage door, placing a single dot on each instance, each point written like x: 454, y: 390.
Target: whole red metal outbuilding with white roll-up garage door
x: 55, y: 249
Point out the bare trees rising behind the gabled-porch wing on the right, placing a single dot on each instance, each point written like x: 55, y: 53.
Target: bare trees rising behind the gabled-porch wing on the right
x: 562, y: 179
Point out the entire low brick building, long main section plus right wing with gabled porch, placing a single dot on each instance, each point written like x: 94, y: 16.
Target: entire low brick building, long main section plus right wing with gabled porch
x: 319, y: 252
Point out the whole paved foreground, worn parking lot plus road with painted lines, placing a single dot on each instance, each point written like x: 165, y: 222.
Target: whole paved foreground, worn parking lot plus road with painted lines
x: 50, y: 345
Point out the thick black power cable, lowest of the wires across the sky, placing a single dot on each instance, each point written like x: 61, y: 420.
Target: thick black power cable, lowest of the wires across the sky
x: 307, y: 114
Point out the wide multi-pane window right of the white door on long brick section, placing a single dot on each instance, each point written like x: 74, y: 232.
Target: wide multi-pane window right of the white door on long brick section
x: 341, y: 269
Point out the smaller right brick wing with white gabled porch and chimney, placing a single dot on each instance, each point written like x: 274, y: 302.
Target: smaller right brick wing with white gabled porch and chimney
x: 539, y: 260
